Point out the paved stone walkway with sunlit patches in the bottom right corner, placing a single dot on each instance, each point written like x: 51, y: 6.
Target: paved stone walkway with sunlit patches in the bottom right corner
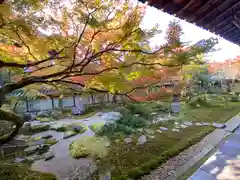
x: 224, y: 164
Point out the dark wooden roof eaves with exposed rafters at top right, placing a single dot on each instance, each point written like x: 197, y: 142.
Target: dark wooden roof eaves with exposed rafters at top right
x: 221, y: 17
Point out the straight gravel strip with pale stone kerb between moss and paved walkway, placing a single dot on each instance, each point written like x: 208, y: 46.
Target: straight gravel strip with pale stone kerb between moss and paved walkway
x: 178, y: 165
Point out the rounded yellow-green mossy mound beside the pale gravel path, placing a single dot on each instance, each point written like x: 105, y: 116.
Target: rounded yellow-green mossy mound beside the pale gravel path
x: 86, y: 145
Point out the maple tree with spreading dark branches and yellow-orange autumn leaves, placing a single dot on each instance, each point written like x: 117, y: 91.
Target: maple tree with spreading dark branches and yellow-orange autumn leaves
x: 95, y: 45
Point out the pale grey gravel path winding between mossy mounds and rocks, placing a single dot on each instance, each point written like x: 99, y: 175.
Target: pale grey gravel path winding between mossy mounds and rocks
x: 63, y: 165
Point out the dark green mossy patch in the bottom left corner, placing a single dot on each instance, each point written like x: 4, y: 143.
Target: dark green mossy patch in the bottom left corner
x: 17, y: 172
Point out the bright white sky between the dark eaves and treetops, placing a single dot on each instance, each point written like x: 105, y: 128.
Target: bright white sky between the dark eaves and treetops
x: 192, y: 33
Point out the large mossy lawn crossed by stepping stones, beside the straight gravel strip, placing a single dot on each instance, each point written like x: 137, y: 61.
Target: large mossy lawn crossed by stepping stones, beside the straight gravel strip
x: 131, y: 160
